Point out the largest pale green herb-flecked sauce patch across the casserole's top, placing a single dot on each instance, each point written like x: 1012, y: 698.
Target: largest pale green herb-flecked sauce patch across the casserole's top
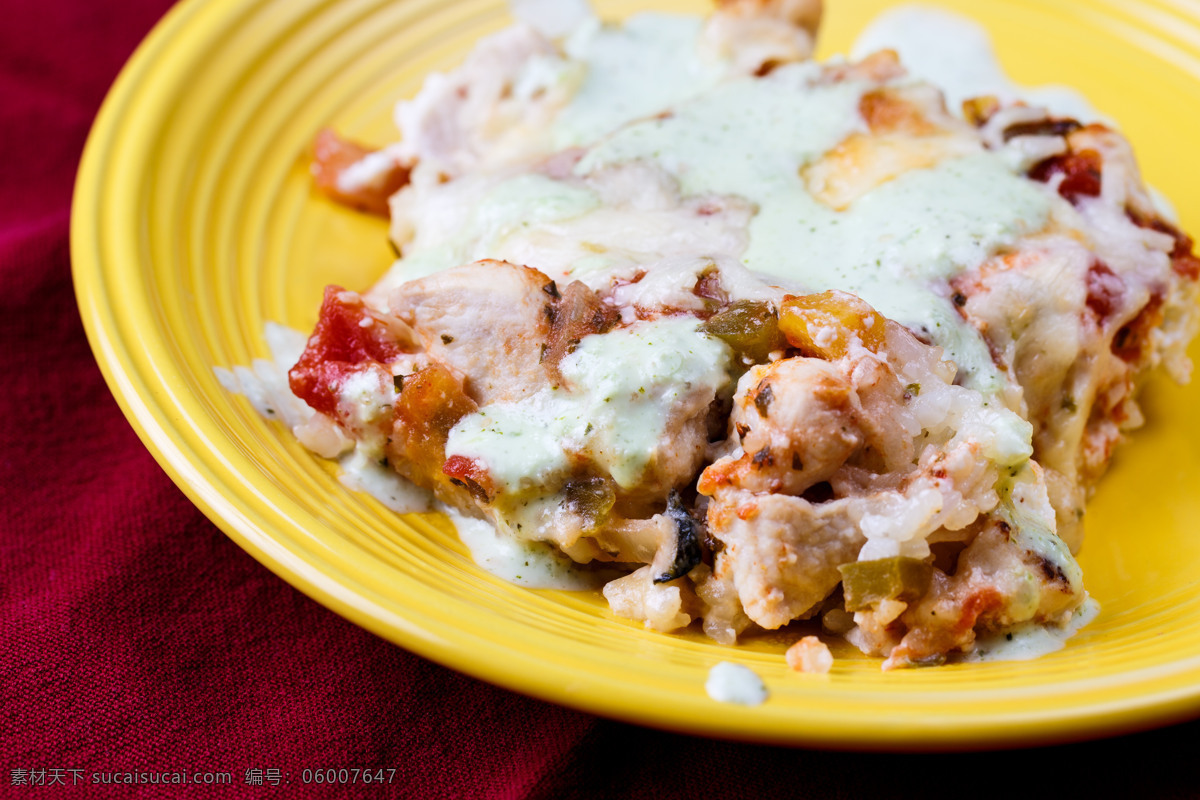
x: 895, y: 248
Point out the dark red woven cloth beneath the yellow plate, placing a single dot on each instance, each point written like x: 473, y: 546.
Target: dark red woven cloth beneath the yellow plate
x: 135, y: 637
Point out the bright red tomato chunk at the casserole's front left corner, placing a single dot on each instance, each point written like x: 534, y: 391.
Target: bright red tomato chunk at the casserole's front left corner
x: 341, y: 345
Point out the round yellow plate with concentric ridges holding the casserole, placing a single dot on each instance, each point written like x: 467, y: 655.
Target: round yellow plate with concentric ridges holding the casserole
x: 195, y: 224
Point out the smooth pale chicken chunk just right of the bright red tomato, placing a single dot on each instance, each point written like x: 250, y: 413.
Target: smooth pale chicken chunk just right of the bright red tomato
x: 489, y: 322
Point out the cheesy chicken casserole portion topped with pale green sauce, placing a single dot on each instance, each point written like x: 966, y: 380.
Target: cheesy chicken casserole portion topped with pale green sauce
x: 776, y: 340
